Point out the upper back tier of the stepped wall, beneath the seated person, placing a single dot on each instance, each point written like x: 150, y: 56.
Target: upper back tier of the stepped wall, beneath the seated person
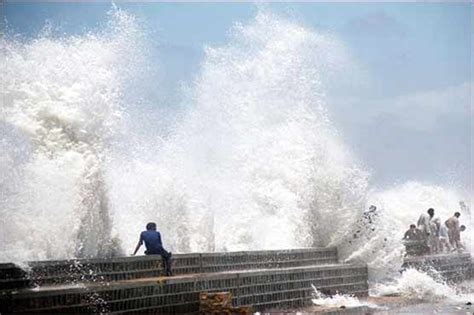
x: 125, y: 268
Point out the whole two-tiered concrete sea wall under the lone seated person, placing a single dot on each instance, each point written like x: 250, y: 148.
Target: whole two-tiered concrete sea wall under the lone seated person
x: 262, y: 279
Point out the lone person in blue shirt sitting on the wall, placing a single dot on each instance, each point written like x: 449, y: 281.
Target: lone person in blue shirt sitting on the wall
x: 152, y: 239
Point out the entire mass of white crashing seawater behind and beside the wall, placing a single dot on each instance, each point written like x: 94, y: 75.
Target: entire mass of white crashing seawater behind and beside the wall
x: 248, y: 160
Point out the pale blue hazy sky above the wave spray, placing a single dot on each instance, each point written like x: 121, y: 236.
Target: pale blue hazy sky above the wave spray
x: 406, y: 114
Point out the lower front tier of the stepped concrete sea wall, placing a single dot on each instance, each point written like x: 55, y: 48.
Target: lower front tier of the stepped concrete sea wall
x: 262, y: 289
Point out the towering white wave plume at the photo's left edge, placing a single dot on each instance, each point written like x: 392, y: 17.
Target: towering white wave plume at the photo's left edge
x: 62, y: 96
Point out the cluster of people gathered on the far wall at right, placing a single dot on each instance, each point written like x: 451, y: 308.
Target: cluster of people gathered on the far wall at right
x: 432, y: 236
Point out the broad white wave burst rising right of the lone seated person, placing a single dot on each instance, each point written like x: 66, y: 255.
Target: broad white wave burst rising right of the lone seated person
x: 255, y: 161
